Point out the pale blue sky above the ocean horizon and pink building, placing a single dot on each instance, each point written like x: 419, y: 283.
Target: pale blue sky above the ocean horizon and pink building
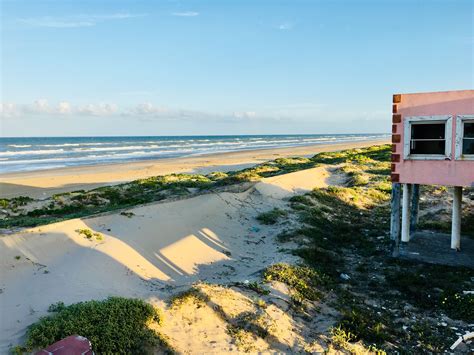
x: 128, y: 67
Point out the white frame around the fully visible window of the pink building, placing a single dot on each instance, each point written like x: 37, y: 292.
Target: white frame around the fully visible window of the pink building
x: 407, y: 123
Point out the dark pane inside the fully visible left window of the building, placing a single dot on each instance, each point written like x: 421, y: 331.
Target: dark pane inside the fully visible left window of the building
x: 428, y: 138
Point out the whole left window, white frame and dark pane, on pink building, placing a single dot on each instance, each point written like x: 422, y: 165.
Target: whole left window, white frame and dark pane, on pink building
x: 427, y: 137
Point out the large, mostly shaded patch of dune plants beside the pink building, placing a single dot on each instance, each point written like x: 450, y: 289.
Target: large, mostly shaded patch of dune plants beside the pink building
x: 344, y: 230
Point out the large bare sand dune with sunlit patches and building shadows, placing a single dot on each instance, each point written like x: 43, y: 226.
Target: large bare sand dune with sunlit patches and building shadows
x: 162, y: 247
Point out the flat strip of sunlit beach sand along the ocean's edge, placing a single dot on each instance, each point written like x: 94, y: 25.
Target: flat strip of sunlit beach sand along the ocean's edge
x: 44, y: 183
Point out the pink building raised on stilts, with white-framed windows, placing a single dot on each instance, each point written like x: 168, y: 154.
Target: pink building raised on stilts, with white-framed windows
x: 433, y: 144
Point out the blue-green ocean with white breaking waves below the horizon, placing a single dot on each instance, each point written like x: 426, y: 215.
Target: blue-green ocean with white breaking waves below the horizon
x: 39, y: 153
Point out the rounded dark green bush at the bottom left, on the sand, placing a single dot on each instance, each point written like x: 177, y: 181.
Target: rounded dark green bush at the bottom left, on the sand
x: 116, y: 325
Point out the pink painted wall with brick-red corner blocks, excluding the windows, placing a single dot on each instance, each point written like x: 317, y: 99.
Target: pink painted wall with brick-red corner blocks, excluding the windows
x: 432, y: 172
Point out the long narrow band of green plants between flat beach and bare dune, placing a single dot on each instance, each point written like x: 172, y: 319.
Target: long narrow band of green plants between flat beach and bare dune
x: 110, y: 198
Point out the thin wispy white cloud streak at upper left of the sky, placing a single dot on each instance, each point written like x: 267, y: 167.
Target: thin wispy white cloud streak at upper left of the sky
x: 74, y: 21
